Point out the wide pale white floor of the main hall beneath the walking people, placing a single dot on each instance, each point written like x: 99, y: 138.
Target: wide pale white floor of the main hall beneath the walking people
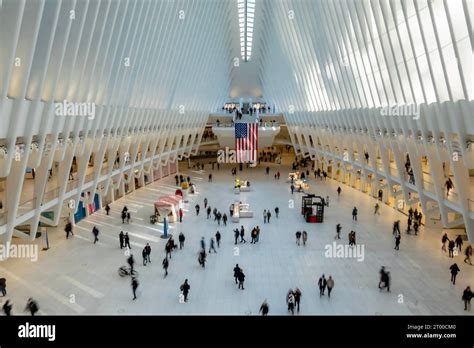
x: 77, y: 277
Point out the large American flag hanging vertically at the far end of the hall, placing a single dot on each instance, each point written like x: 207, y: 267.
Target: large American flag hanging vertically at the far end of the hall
x: 246, y: 142
